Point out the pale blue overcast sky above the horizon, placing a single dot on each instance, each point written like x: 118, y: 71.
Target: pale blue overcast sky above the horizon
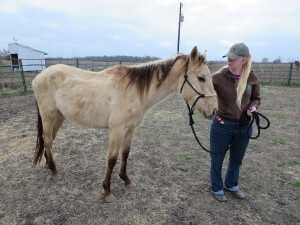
x: 68, y: 28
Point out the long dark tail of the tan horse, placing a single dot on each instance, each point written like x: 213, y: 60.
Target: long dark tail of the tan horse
x: 39, y: 150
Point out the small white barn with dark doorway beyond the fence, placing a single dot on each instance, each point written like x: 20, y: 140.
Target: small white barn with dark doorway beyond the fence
x: 32, y: 59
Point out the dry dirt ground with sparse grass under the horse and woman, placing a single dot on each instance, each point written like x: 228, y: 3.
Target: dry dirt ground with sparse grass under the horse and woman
x: 166, y: 163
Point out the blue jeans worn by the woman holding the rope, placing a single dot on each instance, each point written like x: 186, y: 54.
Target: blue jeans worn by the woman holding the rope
x: 232, y: 134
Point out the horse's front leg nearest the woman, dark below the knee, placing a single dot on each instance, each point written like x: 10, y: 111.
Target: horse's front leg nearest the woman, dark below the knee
x: 124, y: 156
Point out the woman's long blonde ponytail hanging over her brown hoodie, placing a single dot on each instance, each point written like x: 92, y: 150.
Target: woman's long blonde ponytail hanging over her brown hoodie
x: 243, y: 81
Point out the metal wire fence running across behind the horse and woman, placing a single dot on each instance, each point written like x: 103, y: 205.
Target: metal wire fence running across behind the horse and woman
x: 19, y: 80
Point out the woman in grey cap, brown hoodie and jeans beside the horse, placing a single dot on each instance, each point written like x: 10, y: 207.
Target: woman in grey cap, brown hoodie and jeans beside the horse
x: 238, y: 93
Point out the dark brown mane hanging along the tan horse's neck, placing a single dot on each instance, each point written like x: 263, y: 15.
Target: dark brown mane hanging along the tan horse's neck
x: 142, y: 76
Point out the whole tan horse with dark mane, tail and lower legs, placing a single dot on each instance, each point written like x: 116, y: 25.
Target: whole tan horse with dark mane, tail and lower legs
x: 116, y: 99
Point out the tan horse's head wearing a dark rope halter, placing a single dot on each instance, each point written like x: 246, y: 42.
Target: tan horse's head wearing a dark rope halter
x: 196, y: 86
